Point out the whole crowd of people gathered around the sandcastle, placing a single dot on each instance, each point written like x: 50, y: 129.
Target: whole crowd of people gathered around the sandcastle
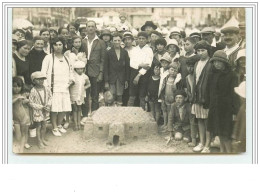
x: 193, y: 85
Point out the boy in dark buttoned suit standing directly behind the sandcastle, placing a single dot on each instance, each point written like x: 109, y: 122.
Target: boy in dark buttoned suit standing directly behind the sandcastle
x: 117, y: 69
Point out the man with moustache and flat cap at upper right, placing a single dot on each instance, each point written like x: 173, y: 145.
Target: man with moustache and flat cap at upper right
x: 231, y: 39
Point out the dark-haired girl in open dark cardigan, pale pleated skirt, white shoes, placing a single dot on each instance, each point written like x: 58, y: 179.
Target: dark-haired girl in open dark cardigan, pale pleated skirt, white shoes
x: 201, y: 74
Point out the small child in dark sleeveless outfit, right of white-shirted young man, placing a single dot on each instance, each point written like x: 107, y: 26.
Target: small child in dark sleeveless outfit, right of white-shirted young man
x: 153, y: 87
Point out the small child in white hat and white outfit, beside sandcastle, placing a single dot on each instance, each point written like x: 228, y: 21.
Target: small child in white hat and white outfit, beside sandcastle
x: 78, y: 92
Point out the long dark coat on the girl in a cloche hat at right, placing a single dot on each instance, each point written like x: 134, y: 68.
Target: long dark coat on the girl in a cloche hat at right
x: 221, y: 101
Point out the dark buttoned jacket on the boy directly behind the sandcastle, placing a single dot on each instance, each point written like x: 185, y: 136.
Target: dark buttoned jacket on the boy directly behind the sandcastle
x: 116, y: 69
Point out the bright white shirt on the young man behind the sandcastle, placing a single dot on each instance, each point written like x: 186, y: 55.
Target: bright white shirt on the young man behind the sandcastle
x: 141, y: 55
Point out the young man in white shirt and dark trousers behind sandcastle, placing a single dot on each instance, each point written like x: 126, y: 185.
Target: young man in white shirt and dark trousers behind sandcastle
x: 140, y: 61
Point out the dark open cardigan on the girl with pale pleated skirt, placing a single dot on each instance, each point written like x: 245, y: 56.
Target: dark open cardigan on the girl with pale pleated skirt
x: 199, y: 92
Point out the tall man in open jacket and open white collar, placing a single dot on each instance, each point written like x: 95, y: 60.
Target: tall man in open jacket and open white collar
x: 95, y: 51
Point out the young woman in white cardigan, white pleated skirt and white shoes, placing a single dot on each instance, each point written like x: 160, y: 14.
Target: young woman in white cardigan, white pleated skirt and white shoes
x: 59, y: 73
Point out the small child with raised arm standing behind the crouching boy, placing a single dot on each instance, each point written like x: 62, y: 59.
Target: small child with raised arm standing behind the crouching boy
x: 170, y: 84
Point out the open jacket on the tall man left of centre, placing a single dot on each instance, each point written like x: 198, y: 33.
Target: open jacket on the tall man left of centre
x: 95, y: 63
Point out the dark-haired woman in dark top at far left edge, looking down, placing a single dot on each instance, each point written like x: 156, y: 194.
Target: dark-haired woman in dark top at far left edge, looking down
x: 21, y: 63
